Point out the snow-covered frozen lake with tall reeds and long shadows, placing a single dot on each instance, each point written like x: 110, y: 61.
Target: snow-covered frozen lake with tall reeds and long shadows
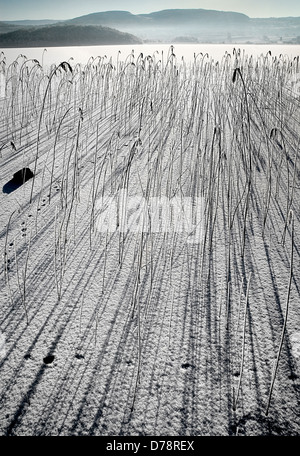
x: 117, y: 319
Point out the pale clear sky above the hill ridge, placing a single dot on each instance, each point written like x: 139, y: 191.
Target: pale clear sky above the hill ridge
x: 67, y: 9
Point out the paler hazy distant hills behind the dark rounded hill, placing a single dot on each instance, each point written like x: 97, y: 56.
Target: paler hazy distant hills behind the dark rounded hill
x: 204, y: 25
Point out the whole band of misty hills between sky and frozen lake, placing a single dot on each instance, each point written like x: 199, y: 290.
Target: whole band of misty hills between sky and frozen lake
x: 170, y: 25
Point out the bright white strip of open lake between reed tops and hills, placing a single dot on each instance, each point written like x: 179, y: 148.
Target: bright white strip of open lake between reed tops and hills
x: 81, y: 54
